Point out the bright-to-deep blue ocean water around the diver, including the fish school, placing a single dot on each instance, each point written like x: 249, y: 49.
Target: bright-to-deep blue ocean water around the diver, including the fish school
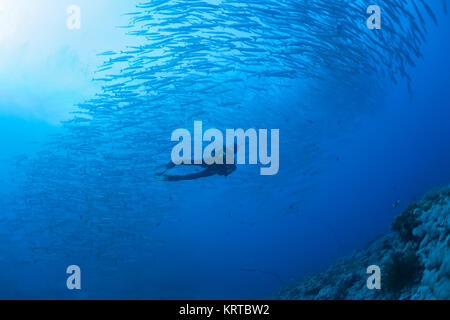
x: 83, y: 192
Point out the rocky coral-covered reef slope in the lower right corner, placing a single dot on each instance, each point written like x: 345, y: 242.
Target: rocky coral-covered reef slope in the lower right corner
x: 414, y: 259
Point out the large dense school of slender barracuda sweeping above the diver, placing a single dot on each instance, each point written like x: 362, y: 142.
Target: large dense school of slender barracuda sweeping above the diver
x: 193, y: 60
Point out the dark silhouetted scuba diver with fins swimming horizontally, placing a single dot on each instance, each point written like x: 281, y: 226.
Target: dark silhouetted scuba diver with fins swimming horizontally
x: 209, y: 169
